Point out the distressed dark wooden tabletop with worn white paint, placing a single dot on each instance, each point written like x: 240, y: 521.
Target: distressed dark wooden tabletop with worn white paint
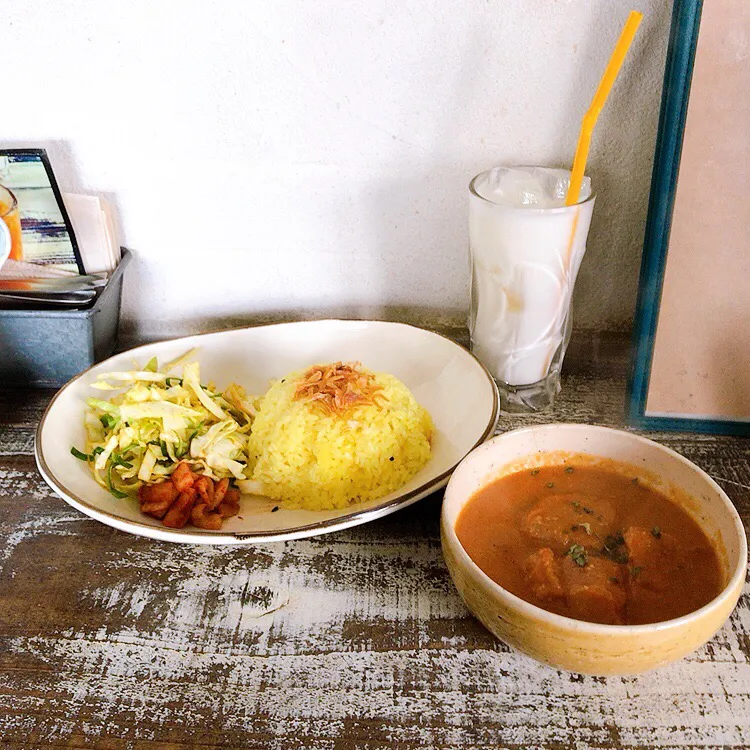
x: 350, y: 640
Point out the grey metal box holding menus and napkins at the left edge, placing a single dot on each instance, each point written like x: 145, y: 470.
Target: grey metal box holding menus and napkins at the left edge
x: 46, y: 348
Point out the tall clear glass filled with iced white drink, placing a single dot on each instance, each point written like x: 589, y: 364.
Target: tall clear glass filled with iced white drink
x: 526, y: 247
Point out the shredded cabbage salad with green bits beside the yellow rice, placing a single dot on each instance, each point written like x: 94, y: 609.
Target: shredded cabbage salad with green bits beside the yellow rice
x: 156, y: 421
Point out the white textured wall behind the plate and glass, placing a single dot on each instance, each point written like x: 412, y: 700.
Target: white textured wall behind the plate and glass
x: 286, y: 157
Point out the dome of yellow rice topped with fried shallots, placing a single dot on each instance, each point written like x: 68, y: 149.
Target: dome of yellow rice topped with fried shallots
x: 329, y: 451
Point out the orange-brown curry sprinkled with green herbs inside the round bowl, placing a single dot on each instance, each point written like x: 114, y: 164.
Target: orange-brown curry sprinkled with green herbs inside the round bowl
x: 589, y: 542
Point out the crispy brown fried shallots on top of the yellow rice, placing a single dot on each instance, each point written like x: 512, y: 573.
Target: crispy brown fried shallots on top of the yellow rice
x: 338, y: 387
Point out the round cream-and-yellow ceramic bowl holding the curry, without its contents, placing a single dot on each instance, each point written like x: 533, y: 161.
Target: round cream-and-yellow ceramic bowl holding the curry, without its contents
x: 572, y: 644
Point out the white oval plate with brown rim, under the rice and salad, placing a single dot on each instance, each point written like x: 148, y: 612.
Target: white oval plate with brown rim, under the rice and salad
x: 455, y: 388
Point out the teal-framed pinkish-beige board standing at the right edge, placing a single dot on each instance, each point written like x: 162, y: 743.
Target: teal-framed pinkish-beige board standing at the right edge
x: 690, y: 366
